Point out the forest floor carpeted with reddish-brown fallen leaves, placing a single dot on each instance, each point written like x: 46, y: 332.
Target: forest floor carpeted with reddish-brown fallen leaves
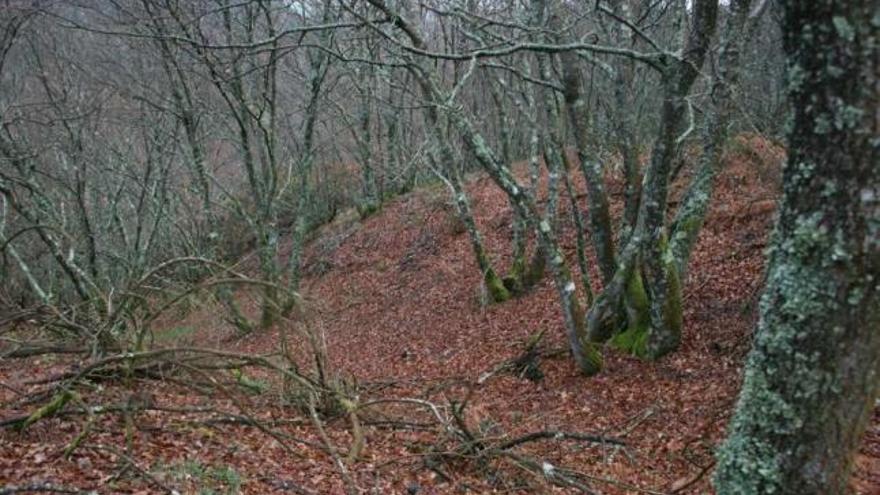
x: 397, y: 300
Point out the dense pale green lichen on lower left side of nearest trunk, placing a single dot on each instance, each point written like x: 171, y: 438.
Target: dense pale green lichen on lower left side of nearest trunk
x: 785, y: 381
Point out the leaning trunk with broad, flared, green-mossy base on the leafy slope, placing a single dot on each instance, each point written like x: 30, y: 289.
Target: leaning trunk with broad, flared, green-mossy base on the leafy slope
x: 645, y: 267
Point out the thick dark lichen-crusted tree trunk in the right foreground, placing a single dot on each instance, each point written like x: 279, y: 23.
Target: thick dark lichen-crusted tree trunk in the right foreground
x: 812, y: 376
